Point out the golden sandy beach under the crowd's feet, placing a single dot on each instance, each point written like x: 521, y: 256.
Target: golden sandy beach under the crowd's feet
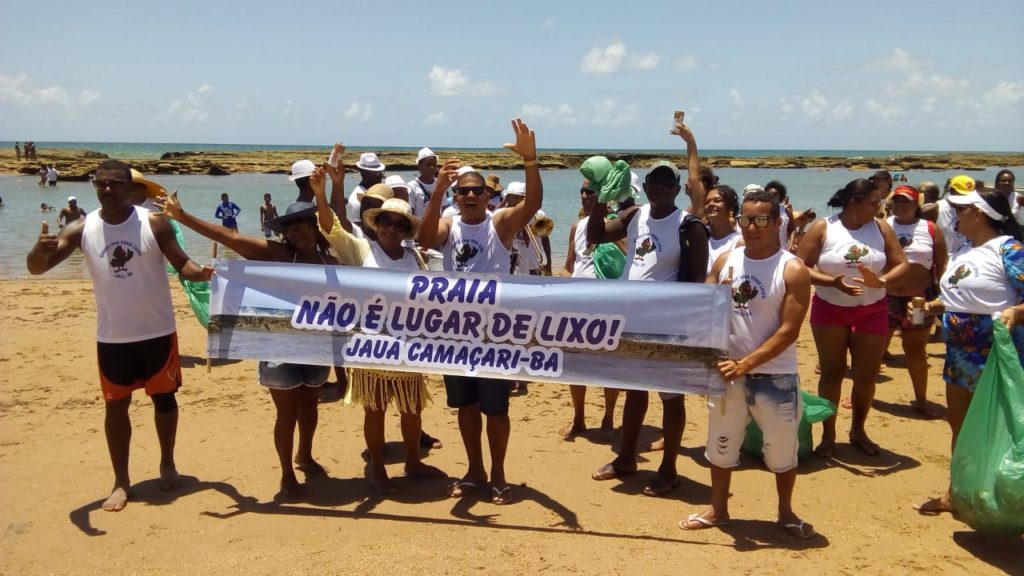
x: 55, y: 473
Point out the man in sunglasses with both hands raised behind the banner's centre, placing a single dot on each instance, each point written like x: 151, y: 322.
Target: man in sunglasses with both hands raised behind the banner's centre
x: 480, y: 242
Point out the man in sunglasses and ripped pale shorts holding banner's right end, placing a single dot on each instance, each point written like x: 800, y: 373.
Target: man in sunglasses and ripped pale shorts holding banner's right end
x: 772, y: 293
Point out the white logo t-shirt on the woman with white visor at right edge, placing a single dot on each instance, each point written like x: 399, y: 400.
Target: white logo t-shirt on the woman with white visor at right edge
x: 975, y: 280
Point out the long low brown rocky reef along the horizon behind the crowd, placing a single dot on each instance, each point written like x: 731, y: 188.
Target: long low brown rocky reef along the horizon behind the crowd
x: 78, y: 164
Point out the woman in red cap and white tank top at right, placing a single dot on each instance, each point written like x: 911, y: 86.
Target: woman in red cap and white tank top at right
x: 925, y: 249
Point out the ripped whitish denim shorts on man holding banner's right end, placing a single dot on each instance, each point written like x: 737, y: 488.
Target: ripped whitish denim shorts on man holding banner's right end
x: 774, y: 401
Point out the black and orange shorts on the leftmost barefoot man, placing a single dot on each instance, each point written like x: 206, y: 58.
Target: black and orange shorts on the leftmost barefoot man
x: 152, y: 364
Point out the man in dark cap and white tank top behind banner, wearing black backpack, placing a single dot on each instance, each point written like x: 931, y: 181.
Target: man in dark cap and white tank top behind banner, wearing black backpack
x: 655, y: 253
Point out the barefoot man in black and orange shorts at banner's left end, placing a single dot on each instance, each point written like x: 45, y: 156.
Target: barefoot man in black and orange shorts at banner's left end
x: 124, y: 249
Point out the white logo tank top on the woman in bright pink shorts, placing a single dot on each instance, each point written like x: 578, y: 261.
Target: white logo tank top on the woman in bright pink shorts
x: 842, y: 251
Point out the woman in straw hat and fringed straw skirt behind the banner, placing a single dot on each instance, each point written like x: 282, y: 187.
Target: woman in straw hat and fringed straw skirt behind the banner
x: 391, y: 226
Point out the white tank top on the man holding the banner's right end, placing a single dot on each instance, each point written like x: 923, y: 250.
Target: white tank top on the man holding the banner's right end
x: 758, y: 292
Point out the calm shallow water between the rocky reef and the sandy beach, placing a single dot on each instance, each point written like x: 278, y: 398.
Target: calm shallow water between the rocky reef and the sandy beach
x: 21, y: 217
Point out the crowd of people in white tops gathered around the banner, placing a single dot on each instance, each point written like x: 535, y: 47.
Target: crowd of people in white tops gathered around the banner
x: 958, y: 259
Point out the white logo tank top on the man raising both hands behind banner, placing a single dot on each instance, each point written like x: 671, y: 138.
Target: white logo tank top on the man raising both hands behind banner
x: 476, y: 249
